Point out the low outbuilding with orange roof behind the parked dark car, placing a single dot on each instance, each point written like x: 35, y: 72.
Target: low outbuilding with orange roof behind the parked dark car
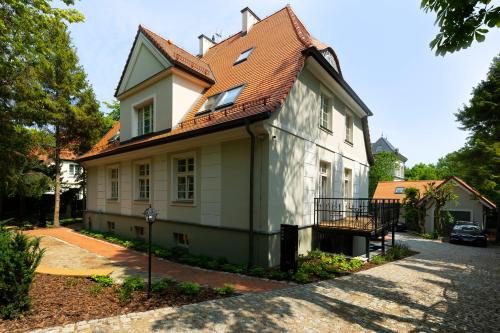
x: 470, y: 205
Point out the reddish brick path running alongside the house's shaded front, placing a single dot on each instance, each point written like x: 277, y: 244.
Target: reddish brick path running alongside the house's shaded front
x: 138, y: 261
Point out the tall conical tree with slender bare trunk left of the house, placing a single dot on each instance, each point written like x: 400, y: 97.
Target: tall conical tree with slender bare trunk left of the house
x: 69, y: 108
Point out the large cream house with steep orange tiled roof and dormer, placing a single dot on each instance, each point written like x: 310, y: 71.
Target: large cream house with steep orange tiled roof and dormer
x: 230, y: 144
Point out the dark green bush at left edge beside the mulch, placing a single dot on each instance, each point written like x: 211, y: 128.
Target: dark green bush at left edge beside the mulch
x: 19, y: 257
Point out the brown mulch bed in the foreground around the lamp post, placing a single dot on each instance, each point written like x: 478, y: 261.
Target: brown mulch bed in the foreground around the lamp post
x: 59, y: 300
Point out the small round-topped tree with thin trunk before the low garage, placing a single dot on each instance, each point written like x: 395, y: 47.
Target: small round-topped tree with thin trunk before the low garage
x: 439, y: 196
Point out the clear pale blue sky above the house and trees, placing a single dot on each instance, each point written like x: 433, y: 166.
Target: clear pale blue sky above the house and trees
x: 382, y: 47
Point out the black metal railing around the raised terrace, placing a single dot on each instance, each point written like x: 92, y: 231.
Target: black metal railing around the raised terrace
x: 359, y: 214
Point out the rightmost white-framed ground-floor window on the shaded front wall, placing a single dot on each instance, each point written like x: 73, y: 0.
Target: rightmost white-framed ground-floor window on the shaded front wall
x: 184, y: 179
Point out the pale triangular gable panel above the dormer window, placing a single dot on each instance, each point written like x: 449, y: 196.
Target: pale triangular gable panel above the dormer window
x: 145, y: 61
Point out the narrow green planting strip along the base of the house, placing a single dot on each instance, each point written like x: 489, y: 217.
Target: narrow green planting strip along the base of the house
x: 314, y: 266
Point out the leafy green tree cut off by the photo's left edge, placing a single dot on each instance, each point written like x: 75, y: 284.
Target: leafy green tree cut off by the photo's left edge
x: 24, y: 46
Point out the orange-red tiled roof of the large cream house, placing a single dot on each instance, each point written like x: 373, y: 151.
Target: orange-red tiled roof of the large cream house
x: 268, y: 74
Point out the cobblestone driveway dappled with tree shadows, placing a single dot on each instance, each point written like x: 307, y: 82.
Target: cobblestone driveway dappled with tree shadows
x: 445, y: 288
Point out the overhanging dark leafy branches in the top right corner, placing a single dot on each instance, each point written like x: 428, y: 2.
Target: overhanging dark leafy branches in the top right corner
x: 461, y: 22
